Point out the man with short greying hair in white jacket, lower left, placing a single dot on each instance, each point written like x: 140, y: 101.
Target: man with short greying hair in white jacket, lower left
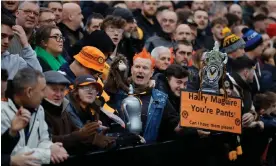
x: 28, y: 88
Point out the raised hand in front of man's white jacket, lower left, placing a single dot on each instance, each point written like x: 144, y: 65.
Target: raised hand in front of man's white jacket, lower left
x: 20, y: 120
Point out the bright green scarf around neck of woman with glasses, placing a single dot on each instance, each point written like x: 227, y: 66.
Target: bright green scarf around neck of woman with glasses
x: 53, y: 62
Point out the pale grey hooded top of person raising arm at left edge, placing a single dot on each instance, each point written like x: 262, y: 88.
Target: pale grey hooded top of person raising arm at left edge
x: 13, y: 62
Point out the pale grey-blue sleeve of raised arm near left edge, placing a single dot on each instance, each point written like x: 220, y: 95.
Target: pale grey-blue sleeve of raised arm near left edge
x: 29, y: 56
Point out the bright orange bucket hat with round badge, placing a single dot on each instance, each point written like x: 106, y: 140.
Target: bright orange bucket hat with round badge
x: 92, y: 58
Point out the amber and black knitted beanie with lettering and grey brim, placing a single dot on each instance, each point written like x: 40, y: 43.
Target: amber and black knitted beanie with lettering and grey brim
x: 231, y: 42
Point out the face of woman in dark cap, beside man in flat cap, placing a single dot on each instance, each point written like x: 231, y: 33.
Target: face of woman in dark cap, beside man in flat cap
x: 87, y: 93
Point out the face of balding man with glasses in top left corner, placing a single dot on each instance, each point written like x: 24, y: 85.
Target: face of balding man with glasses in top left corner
x: 27, y: 16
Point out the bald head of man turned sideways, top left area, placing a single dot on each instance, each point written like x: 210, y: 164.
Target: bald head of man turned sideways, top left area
x: 72, y: 16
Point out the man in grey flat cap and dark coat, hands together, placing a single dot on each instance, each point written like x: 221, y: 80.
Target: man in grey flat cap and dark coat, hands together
x: 75, y: 139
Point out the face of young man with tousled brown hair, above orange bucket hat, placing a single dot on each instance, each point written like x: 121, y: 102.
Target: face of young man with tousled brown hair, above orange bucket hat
x: 115, y: 34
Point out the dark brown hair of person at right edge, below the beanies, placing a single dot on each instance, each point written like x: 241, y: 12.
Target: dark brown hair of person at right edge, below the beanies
x: 264, y: 100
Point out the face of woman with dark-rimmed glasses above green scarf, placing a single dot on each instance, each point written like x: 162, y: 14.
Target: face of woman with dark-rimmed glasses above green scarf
x: 54, y: 44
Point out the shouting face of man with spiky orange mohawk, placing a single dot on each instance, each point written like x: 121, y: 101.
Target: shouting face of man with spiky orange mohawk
x: 141, y: 71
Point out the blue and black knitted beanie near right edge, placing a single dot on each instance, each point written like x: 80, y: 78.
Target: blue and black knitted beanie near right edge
x: 251, y: 38
